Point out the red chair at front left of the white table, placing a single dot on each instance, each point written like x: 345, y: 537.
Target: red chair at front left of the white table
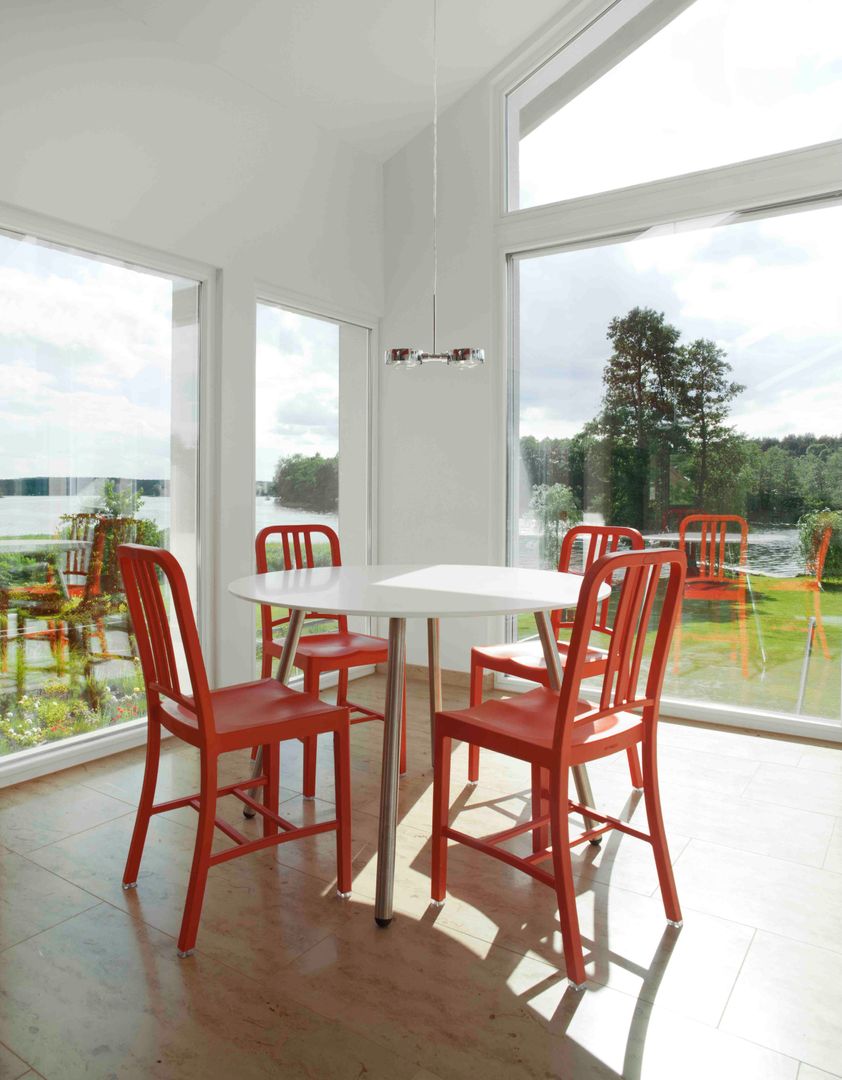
x: 216, y: 722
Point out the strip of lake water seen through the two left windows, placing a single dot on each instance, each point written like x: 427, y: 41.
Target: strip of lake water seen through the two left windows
x: 21, y: 515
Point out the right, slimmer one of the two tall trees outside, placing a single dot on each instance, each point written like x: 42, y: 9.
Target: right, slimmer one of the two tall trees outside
x: 705, y: 393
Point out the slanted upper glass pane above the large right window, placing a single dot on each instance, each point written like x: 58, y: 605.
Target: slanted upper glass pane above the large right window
x: 726, y: 82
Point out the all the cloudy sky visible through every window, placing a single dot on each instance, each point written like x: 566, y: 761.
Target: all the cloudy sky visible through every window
x: 87, y: 346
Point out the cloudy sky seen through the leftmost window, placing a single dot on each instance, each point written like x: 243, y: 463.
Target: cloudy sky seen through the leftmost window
x: 86, y: 366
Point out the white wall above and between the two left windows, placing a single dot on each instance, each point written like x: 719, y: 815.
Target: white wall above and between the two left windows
x: 102, y: 126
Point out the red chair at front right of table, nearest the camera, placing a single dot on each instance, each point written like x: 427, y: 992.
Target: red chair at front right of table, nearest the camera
x: 556, y: 733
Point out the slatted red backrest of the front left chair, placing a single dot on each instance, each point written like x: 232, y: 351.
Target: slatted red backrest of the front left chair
x: 141, y: 568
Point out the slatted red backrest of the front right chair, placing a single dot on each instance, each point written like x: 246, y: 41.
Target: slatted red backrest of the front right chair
x: 642, y: 573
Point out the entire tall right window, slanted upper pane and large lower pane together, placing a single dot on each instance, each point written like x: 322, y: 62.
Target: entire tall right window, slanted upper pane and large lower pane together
x: 664, y: 370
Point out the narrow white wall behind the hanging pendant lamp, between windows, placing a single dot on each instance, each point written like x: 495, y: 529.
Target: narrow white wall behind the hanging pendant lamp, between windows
x: 441, y: 430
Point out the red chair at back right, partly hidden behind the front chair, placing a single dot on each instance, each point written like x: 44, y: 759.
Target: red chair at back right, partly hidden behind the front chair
x: 526, y: 659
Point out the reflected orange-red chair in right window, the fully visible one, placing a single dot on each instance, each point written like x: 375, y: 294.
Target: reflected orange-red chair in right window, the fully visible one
x: 704, y: 541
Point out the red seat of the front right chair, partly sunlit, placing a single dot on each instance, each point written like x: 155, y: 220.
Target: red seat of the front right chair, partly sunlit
x: 523, y: 726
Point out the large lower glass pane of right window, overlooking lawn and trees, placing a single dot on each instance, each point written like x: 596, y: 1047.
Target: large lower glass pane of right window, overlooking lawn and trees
x: 700, y: 373
